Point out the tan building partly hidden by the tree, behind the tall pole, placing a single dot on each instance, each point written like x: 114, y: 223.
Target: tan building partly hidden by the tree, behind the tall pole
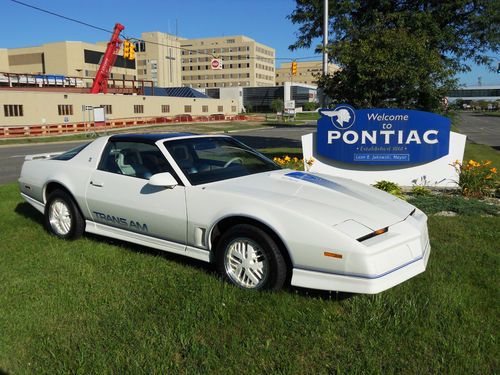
x: 307, y: 72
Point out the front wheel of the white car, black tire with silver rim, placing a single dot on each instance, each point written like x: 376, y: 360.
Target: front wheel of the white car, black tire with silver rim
x: 266, y: 265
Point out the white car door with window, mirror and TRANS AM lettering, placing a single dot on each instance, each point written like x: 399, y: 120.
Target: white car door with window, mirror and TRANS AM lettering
x: 118, y: 193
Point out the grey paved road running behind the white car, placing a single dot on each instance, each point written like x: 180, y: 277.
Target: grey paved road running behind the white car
x: 12, y: 157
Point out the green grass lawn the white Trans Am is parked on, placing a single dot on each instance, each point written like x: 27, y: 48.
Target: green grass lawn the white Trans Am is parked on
x: 101, y: 306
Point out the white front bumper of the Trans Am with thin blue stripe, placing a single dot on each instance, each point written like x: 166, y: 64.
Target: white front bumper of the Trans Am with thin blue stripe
x: 385, y: 261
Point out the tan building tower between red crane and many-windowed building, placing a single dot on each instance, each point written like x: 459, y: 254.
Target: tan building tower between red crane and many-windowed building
x: 158, y: 58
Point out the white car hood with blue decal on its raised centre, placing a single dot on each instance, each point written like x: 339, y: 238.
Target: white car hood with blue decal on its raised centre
x: 327, y: 199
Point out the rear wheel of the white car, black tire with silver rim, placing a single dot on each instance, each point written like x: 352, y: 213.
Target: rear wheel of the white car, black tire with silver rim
x: 62, y: 216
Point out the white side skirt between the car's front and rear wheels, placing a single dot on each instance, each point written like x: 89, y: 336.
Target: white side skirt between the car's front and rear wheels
x: 141, y: 239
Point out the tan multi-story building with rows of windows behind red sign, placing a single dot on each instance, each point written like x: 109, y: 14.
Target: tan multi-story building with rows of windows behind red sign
x: 245, y: 62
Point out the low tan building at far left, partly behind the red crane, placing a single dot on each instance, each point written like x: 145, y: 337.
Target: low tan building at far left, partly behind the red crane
x: 73, y: 59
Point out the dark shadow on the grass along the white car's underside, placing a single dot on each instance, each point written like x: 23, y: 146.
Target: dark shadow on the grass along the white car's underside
x: 26, y: 210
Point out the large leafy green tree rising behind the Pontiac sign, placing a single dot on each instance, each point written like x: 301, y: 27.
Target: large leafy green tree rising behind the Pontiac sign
x: 396, y: 53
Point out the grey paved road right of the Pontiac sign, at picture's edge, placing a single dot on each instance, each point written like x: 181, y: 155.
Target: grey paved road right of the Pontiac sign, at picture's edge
x: 480, y: 129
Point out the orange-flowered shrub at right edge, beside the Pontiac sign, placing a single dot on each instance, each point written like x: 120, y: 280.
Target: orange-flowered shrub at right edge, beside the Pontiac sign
x: 476, y: 179
